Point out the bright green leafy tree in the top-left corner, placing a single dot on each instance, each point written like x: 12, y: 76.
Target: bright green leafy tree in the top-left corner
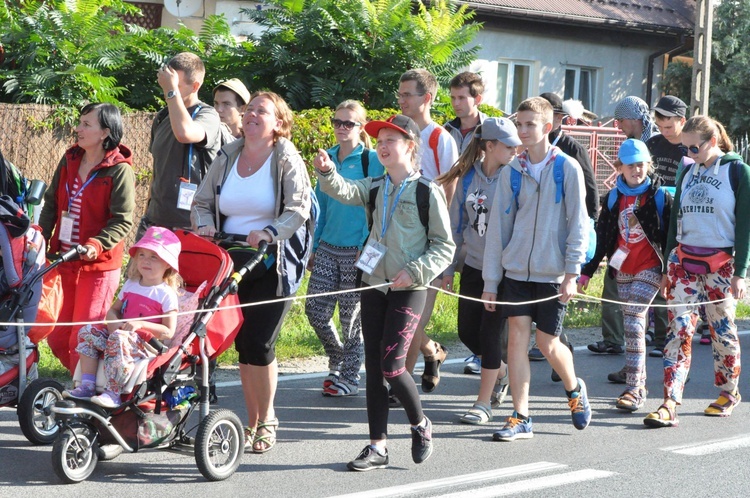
x: 59, y: 52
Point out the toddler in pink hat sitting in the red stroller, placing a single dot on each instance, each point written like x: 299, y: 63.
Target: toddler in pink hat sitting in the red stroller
x: 150, y: 291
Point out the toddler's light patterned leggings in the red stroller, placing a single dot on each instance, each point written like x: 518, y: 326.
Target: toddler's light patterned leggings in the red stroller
x: 121, y: 350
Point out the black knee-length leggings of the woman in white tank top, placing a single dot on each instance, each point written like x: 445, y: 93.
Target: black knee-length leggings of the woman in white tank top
x: 256, y: 341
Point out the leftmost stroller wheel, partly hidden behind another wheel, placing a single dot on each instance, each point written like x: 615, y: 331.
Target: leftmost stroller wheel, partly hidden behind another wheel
x: 34, y: 417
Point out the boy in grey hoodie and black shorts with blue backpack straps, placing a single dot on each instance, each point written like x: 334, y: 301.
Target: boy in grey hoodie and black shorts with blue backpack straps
x: 542, y: 230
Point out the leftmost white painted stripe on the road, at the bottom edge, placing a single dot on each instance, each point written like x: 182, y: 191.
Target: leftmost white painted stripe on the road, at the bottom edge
x: 478, y: 477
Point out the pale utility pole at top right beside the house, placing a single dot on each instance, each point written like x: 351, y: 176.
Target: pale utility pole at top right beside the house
x: 703, y: 33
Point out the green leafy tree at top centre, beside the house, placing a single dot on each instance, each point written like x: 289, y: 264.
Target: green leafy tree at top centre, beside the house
x: 317, y: 53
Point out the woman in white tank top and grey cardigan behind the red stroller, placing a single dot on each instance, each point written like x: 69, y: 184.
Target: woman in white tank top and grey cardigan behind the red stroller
x: 259, y: 187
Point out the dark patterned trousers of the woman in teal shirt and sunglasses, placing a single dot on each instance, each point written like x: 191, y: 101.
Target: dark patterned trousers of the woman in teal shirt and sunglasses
x: 333, y: 270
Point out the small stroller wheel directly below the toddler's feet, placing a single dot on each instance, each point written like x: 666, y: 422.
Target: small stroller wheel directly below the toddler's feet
x: 75, y: 453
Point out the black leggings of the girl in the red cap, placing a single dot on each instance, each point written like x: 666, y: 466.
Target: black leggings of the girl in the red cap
x: 388, y: 325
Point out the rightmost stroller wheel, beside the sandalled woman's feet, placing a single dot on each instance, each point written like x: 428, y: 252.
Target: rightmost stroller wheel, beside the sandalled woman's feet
x: 219, y: 445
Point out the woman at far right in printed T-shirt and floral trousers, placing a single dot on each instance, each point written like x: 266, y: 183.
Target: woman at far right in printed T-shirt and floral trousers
x: 709, y: 247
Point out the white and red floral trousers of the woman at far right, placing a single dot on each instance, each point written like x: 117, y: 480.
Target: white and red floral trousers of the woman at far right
x: 686, y: 292
